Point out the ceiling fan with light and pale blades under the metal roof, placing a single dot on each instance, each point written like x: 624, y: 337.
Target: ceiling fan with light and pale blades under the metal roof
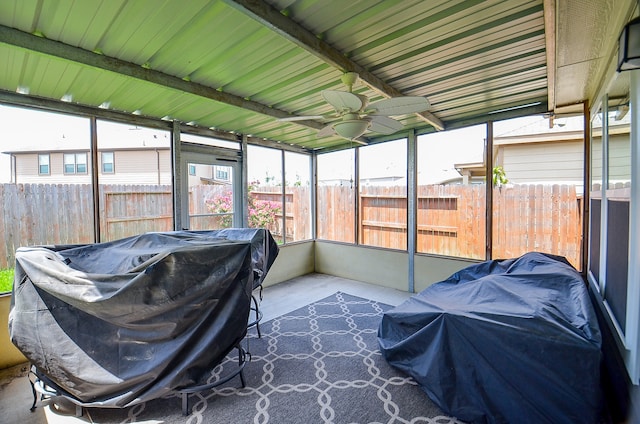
x: 354, y: 115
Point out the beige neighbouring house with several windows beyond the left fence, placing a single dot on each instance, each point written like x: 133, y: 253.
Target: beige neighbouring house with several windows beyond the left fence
x: 126, y: 155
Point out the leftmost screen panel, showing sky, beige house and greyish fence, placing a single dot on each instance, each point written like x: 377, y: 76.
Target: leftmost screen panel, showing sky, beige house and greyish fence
x: 66, y: 202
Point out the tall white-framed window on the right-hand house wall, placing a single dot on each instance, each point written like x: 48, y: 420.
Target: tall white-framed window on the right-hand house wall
x: 613, y: 242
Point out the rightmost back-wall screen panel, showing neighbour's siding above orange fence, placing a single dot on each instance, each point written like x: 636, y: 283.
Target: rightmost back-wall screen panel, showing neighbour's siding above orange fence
x: 538, y: 187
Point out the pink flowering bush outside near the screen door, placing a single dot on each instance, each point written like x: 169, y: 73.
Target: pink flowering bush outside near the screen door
x: 262, y: 213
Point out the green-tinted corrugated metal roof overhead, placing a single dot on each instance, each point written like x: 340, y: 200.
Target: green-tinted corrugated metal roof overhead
x: 225, y: 65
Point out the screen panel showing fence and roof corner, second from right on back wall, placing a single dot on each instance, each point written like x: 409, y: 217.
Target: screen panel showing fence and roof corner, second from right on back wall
x: 451, y: 193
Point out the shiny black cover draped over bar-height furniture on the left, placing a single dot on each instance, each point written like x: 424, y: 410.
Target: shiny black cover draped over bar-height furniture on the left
x: 119, y: 323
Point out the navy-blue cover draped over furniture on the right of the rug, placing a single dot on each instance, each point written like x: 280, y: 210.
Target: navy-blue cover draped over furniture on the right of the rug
x: 513, y: 341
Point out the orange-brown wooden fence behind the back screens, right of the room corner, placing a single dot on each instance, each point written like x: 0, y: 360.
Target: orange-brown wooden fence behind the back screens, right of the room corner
x: 451, y: 219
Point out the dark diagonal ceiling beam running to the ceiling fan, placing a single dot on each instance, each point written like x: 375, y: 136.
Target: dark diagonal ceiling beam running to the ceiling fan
x: 271, y: 18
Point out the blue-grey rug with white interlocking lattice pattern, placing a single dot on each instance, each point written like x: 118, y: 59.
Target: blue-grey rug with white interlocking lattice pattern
x: 318, y: 364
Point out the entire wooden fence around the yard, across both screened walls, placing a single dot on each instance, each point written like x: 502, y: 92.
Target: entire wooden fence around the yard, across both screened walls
x: 450, y: 218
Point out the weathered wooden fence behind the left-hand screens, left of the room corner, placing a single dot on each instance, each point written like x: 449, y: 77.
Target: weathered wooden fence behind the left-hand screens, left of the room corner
x: 38, y: 214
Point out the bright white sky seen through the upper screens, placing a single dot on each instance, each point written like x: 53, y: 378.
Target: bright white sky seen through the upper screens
x: 436, y: 154
